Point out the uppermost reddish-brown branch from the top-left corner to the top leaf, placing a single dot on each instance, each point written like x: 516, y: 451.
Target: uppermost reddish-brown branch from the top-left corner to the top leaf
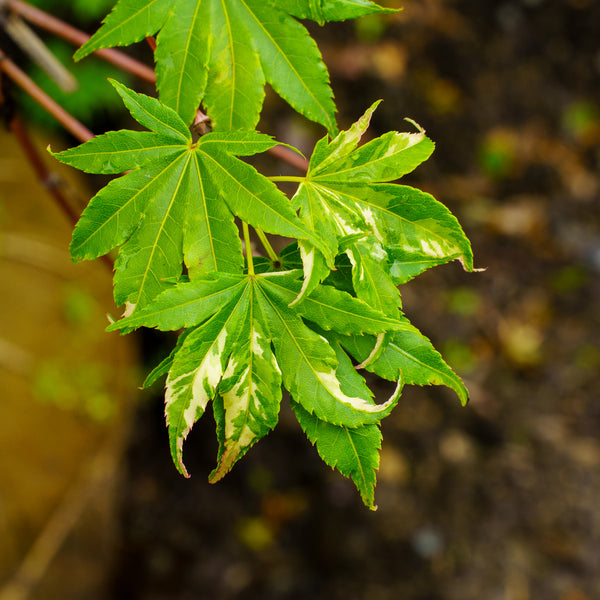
x: 78, y: 38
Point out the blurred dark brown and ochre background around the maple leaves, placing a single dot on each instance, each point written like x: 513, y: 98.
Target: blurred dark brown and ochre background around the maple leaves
x: 496, y: 501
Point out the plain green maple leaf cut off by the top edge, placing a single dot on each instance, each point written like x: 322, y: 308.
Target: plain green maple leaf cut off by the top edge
x: 222, y: 52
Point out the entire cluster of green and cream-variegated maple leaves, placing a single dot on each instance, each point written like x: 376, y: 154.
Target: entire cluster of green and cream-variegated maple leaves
x: 308, y: 319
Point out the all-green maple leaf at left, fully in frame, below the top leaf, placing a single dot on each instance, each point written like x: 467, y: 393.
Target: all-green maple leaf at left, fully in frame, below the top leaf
x: 177, y: 203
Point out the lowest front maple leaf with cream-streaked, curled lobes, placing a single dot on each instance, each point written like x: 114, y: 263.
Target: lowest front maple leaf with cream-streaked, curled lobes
x: 244, y: 342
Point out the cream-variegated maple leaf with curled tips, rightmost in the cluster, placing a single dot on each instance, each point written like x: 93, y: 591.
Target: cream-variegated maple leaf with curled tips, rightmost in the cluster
x: 390, y: 232
